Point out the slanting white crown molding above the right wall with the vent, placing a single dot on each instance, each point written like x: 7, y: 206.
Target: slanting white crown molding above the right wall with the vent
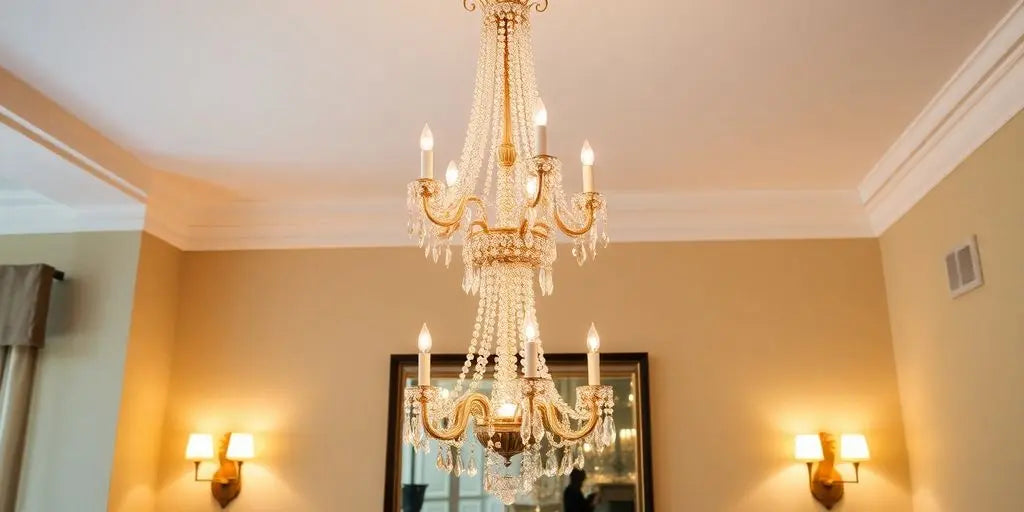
x: 986, y: 94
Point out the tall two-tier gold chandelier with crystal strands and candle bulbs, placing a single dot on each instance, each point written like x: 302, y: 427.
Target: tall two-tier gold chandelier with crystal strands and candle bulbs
x: 505, y: 201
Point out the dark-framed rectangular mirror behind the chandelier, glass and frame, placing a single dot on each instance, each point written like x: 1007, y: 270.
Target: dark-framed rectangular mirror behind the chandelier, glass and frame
x: 618, y: 479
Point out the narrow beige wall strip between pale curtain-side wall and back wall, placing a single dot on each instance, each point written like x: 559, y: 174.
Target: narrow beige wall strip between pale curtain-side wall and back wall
x: 144, y: 399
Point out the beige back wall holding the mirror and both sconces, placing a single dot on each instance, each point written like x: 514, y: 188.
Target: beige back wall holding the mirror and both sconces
x: 750, y: 344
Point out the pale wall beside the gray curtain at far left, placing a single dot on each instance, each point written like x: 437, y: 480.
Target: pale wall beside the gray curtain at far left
x: 78, y: 382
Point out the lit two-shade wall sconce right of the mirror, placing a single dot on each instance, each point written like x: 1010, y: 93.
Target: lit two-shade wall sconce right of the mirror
x: 827, y: 484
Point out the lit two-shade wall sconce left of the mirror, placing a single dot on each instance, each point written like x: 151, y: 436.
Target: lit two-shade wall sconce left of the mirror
x: 235, y: 449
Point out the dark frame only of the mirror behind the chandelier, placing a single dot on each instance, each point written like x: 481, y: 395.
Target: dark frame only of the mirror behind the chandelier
x: 393, y: 479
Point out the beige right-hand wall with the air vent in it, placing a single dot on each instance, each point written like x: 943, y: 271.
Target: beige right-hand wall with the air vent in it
x: 961, y: 362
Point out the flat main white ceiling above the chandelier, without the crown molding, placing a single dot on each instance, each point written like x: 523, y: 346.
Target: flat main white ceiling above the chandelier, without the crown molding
x: 318, y: 100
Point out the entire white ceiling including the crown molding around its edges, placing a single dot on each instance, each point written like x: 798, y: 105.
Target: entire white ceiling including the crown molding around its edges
x: 254, y: 124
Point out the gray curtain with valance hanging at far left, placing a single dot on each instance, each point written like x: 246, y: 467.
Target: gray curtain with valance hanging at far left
x: 25, y: 303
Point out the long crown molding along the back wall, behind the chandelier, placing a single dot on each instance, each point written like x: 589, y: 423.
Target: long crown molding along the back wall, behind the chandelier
x: 633, y: 218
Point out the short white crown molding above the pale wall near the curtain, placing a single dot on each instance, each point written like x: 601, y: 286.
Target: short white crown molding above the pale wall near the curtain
x: 56, y: 219
